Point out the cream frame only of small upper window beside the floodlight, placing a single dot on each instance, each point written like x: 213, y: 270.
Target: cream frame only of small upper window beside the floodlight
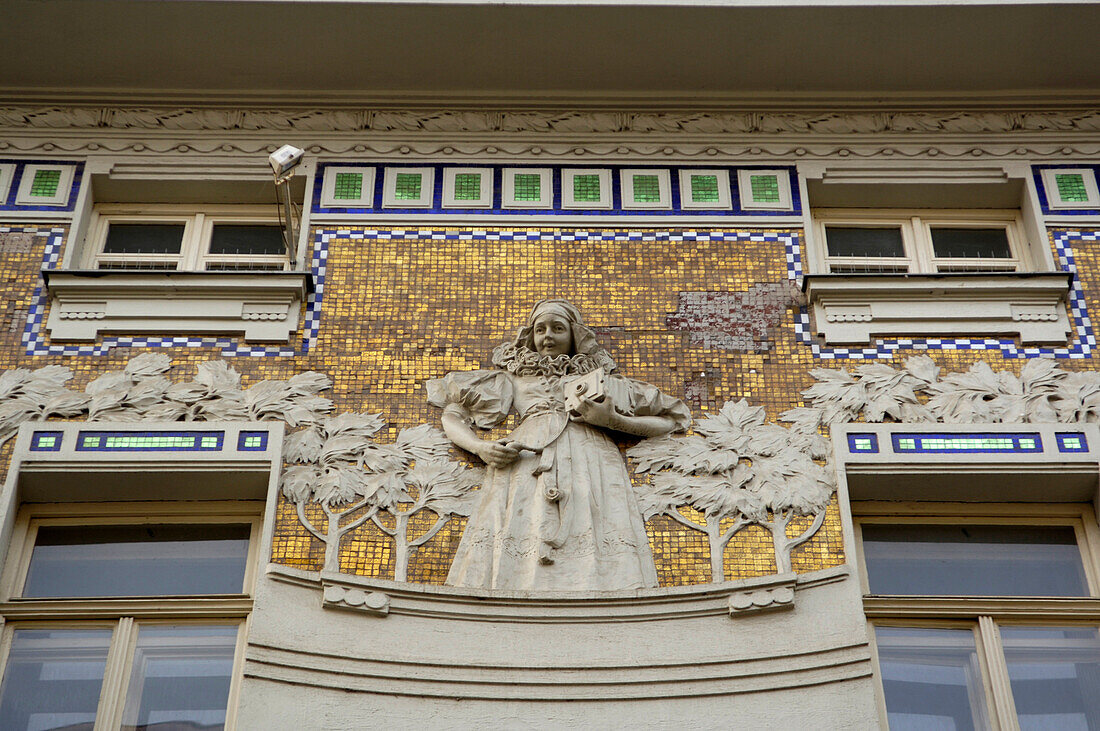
x: 195, y: 249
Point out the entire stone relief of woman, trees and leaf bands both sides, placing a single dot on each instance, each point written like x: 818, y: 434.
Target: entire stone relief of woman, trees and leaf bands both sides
x: 556, y: 510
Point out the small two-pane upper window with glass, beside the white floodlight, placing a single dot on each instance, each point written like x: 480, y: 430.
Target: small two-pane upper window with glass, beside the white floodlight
x: 214, y: 239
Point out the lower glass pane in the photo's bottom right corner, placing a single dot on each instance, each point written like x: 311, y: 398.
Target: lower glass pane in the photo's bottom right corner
x: 1055, y: 675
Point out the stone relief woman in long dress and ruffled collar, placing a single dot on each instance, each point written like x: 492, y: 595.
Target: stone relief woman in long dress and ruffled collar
x: 557, y: 511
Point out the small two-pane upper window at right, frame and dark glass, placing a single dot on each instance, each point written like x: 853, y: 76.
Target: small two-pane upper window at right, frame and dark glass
x: 863, y: 241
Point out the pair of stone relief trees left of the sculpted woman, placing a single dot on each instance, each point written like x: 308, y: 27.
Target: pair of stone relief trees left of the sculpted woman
x: 336, y: 467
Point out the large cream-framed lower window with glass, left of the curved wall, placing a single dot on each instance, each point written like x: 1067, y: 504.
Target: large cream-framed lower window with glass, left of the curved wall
x: 126, y: 616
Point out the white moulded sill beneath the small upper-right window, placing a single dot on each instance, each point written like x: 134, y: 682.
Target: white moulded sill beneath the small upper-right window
x: 851, y: 309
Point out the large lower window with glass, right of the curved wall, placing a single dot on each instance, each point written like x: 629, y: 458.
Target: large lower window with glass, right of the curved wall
x: 984, y: 617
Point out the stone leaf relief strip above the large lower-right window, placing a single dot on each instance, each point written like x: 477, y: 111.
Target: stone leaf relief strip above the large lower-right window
x: 1042, y: 394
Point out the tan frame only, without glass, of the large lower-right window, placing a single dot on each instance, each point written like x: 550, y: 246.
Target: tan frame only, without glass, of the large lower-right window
x: 984, y: 616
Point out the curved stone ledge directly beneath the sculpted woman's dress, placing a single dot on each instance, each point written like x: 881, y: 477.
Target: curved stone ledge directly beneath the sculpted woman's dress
x: 734, y: 599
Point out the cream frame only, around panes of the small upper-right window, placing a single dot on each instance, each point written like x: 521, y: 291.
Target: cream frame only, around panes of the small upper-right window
x: 916, y: 226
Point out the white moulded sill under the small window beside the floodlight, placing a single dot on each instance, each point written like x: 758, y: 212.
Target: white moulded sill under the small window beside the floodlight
x: 262, y: 306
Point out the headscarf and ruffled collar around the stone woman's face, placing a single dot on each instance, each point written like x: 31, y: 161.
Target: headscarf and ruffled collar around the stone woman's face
x: 521, y: 357
